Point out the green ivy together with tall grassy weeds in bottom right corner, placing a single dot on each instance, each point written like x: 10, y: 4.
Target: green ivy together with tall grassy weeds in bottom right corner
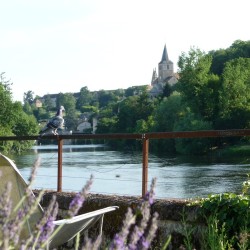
x: 227, y: 220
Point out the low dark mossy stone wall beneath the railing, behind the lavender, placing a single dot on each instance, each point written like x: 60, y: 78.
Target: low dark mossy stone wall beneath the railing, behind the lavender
x: 170, y: 213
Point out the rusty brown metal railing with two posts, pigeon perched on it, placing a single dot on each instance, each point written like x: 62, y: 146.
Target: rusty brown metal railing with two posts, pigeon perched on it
x: 143, y: 137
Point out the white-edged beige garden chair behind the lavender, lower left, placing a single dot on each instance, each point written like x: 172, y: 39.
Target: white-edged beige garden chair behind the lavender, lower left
x: 69, y: 227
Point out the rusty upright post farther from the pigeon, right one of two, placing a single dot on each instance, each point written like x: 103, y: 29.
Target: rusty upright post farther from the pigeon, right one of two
x: 145, y: 147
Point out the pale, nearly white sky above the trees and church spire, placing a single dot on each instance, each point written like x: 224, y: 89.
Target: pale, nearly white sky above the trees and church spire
x: 53, y: 46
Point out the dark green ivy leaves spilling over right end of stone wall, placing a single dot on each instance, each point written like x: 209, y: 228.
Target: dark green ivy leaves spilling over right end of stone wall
x: 230, y: 213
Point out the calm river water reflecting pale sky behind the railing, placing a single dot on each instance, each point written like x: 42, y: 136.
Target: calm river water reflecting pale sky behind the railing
x: 121, y: 173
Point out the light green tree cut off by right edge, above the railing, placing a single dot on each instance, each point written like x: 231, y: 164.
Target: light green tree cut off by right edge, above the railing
x: 235, y: 97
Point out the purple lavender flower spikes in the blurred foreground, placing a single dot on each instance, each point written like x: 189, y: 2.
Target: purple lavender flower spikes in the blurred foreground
x: 137, y: 232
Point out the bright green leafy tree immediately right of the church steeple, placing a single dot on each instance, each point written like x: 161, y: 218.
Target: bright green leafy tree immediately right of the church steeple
x: 198, y: 87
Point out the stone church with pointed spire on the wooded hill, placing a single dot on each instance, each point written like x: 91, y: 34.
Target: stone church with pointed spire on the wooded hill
x: 165, y: 75
